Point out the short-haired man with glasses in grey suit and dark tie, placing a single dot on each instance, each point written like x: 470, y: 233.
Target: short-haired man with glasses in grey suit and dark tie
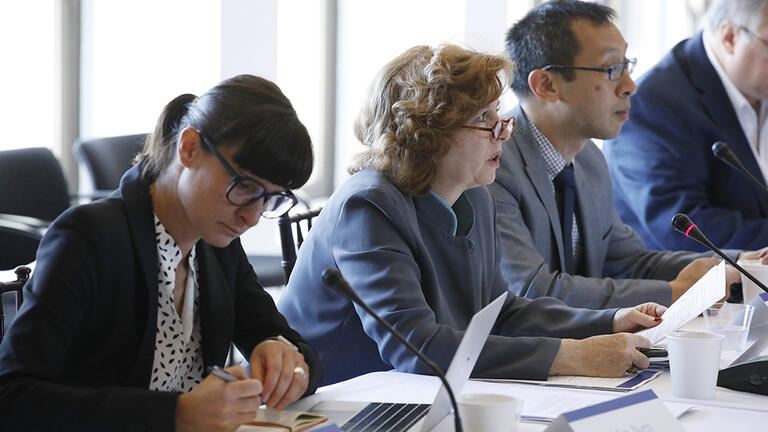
x: 560, y: 235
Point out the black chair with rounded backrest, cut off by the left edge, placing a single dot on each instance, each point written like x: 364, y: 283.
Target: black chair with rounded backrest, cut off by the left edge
x: 32, y: 184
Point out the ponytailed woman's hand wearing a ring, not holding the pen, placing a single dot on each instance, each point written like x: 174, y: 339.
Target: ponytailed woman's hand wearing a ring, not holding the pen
x: 274, y: 364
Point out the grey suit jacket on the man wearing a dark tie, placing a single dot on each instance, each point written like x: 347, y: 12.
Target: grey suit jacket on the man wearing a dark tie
x: 618, y: 270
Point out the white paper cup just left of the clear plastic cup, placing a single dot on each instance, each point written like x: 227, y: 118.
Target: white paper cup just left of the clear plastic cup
x: 694, y: 360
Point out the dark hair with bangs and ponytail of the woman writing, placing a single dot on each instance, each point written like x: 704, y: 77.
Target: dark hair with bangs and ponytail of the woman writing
x: 247, y: 112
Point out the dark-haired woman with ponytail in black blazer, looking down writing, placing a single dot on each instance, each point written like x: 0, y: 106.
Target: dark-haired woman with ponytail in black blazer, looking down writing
x: 134, y: 297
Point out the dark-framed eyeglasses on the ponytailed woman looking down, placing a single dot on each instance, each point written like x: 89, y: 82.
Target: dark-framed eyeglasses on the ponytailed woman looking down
x: 245, y: 191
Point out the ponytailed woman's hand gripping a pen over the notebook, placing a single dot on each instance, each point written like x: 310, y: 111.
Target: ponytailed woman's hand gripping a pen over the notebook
x: 216, y: 405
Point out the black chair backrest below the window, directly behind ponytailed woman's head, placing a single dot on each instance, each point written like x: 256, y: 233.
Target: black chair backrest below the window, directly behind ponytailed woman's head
x: 106, y: 159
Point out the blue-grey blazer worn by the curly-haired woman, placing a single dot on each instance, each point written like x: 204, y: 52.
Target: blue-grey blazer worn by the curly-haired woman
x: 400, y: 254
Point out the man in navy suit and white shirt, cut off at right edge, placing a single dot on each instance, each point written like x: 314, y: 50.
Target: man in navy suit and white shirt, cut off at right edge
x: 712, y: 87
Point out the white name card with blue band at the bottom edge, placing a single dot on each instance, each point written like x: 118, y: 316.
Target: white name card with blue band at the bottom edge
x: 641, y: 411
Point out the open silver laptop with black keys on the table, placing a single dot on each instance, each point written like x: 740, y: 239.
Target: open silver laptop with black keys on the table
x: 405, y: 417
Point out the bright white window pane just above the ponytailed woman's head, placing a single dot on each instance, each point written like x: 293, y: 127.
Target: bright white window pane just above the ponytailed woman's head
x: 137, y: 55
